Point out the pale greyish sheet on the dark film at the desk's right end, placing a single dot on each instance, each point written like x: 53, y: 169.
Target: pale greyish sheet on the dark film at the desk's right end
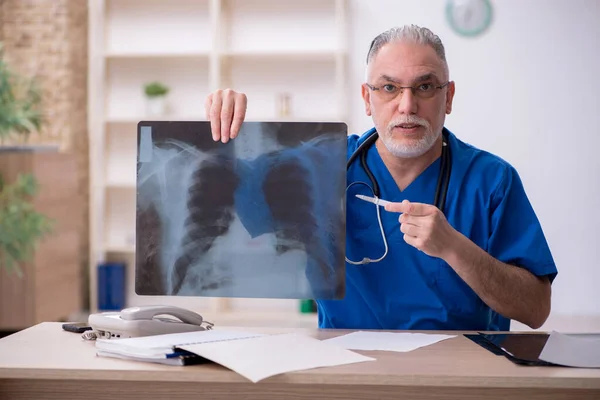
x: 571, y: 351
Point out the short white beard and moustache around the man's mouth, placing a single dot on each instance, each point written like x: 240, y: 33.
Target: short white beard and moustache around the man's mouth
x: 414, y: 149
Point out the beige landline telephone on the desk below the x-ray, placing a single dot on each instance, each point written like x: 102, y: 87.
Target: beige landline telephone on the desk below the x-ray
x: 145, y: 321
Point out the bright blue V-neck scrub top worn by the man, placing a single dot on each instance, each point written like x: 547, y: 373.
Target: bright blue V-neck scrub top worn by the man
x: 408, y: 289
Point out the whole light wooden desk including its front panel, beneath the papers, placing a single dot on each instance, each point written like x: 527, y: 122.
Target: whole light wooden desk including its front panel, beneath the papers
x: 46, y: 362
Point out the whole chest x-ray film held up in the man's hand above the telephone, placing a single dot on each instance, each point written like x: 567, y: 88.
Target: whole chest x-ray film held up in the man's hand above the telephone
x: 260, y: 216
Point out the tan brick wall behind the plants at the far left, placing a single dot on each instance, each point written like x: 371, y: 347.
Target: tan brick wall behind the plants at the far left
x: 47, y: 39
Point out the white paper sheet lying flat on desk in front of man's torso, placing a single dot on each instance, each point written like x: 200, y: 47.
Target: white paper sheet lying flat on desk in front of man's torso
x: 386, y: 341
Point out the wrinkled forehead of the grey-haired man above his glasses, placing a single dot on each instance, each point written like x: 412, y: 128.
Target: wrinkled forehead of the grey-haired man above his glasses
x: 406, y: 62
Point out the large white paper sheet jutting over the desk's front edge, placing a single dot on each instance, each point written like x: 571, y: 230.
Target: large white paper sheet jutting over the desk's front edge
x: 262, y: 357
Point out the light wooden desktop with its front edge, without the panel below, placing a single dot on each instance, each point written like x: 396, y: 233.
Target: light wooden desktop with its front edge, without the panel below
x: 47, y: 353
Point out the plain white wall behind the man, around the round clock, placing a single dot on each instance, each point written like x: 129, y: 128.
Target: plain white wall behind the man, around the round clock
x: 528, y: 91
